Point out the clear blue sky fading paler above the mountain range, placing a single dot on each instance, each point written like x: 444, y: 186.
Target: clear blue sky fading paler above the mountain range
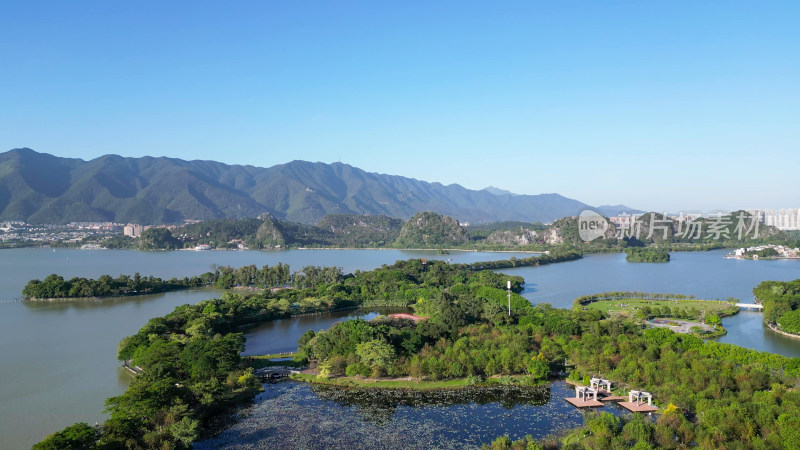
x: 658, y: 105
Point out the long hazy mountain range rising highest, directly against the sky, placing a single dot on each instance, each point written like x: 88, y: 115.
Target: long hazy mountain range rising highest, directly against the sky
x: 42, y: 188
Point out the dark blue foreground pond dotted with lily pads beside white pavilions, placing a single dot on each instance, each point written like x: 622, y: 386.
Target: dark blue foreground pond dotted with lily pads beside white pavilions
x: 318, y: 417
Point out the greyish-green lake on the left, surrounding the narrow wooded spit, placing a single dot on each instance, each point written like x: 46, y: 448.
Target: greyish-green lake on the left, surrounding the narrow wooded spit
x: 58, y: 360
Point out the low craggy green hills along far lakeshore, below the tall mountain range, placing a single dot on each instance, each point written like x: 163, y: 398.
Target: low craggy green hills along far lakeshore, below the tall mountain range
x: 431, y: 230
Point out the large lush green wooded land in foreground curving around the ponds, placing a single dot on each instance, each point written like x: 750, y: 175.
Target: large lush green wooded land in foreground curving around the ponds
x: 712, y: 395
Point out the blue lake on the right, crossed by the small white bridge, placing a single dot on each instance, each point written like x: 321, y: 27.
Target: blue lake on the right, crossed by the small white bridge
x: 706, y: 275
